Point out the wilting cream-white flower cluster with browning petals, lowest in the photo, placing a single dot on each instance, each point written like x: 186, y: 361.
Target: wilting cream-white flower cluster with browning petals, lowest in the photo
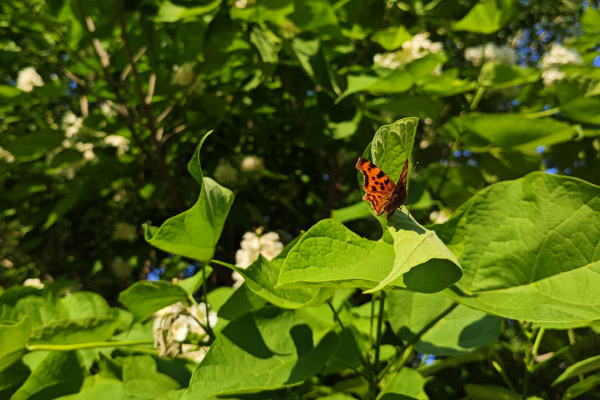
x: 172, y: 325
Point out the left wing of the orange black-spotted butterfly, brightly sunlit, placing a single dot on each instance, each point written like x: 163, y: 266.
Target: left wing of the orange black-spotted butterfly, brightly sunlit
x: 377, y: 185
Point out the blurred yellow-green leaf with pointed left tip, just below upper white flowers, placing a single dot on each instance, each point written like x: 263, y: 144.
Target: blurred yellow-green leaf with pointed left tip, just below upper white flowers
x: 394, y: 81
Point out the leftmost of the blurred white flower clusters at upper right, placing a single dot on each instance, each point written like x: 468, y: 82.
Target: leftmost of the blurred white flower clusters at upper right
x: 418, y: 47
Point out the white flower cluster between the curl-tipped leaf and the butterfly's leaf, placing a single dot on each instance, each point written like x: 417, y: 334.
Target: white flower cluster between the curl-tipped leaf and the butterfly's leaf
x: 251, y: 246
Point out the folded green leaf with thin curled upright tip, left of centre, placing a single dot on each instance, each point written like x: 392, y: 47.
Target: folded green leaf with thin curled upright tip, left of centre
x: 195, y: 232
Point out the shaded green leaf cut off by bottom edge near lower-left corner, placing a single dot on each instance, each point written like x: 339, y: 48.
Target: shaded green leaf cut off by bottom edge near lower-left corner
x: 59, y: 374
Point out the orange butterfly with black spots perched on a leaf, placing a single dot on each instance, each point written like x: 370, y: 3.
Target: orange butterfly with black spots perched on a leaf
x: 384, y: 195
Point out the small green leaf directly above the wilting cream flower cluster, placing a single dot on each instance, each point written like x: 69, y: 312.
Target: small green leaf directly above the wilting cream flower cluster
x: 145, y: 297
